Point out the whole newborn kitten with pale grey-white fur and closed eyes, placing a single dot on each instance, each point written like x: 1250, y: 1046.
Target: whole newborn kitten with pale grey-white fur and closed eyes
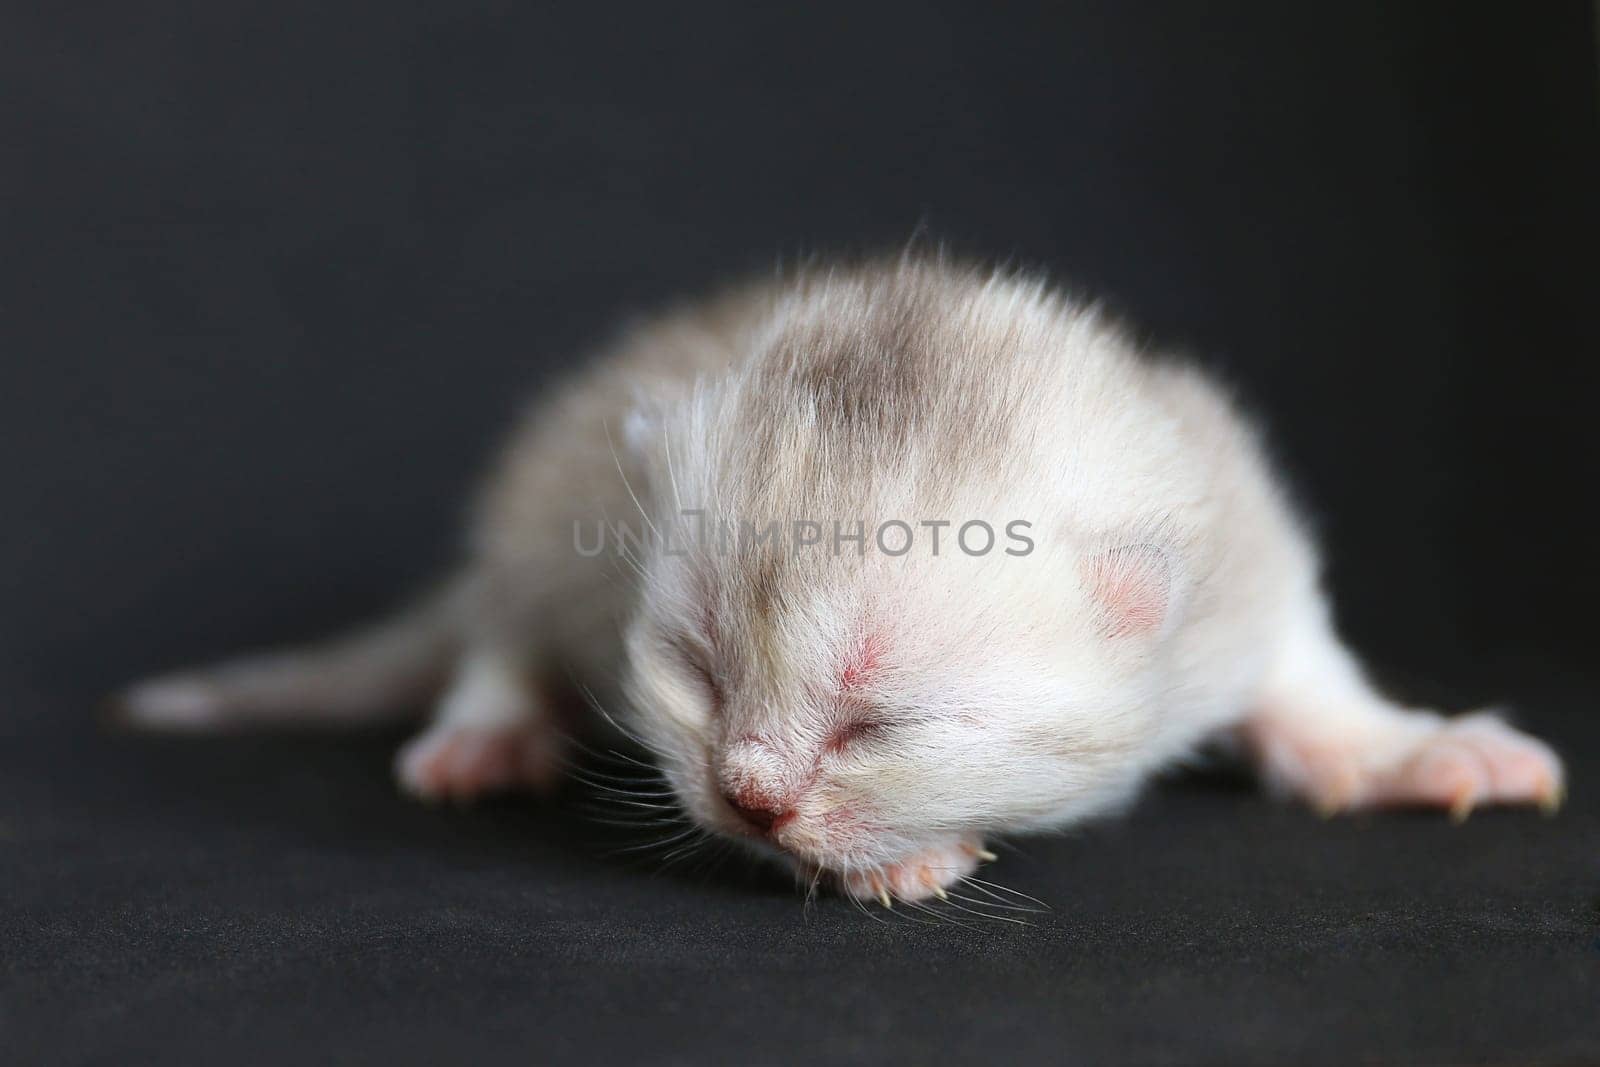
x: 767, y: 516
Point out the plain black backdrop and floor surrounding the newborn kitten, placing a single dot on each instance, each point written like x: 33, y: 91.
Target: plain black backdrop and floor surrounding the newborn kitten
x: 274, y: 279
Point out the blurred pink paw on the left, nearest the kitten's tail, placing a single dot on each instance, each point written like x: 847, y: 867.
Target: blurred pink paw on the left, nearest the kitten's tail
x: 465, y: 762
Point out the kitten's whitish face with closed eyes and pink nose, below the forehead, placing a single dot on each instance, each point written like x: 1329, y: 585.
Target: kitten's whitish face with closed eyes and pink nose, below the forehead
x: 850, y: 711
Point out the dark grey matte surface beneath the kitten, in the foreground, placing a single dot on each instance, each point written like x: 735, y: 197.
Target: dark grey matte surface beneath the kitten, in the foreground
x: 276, y: 901
